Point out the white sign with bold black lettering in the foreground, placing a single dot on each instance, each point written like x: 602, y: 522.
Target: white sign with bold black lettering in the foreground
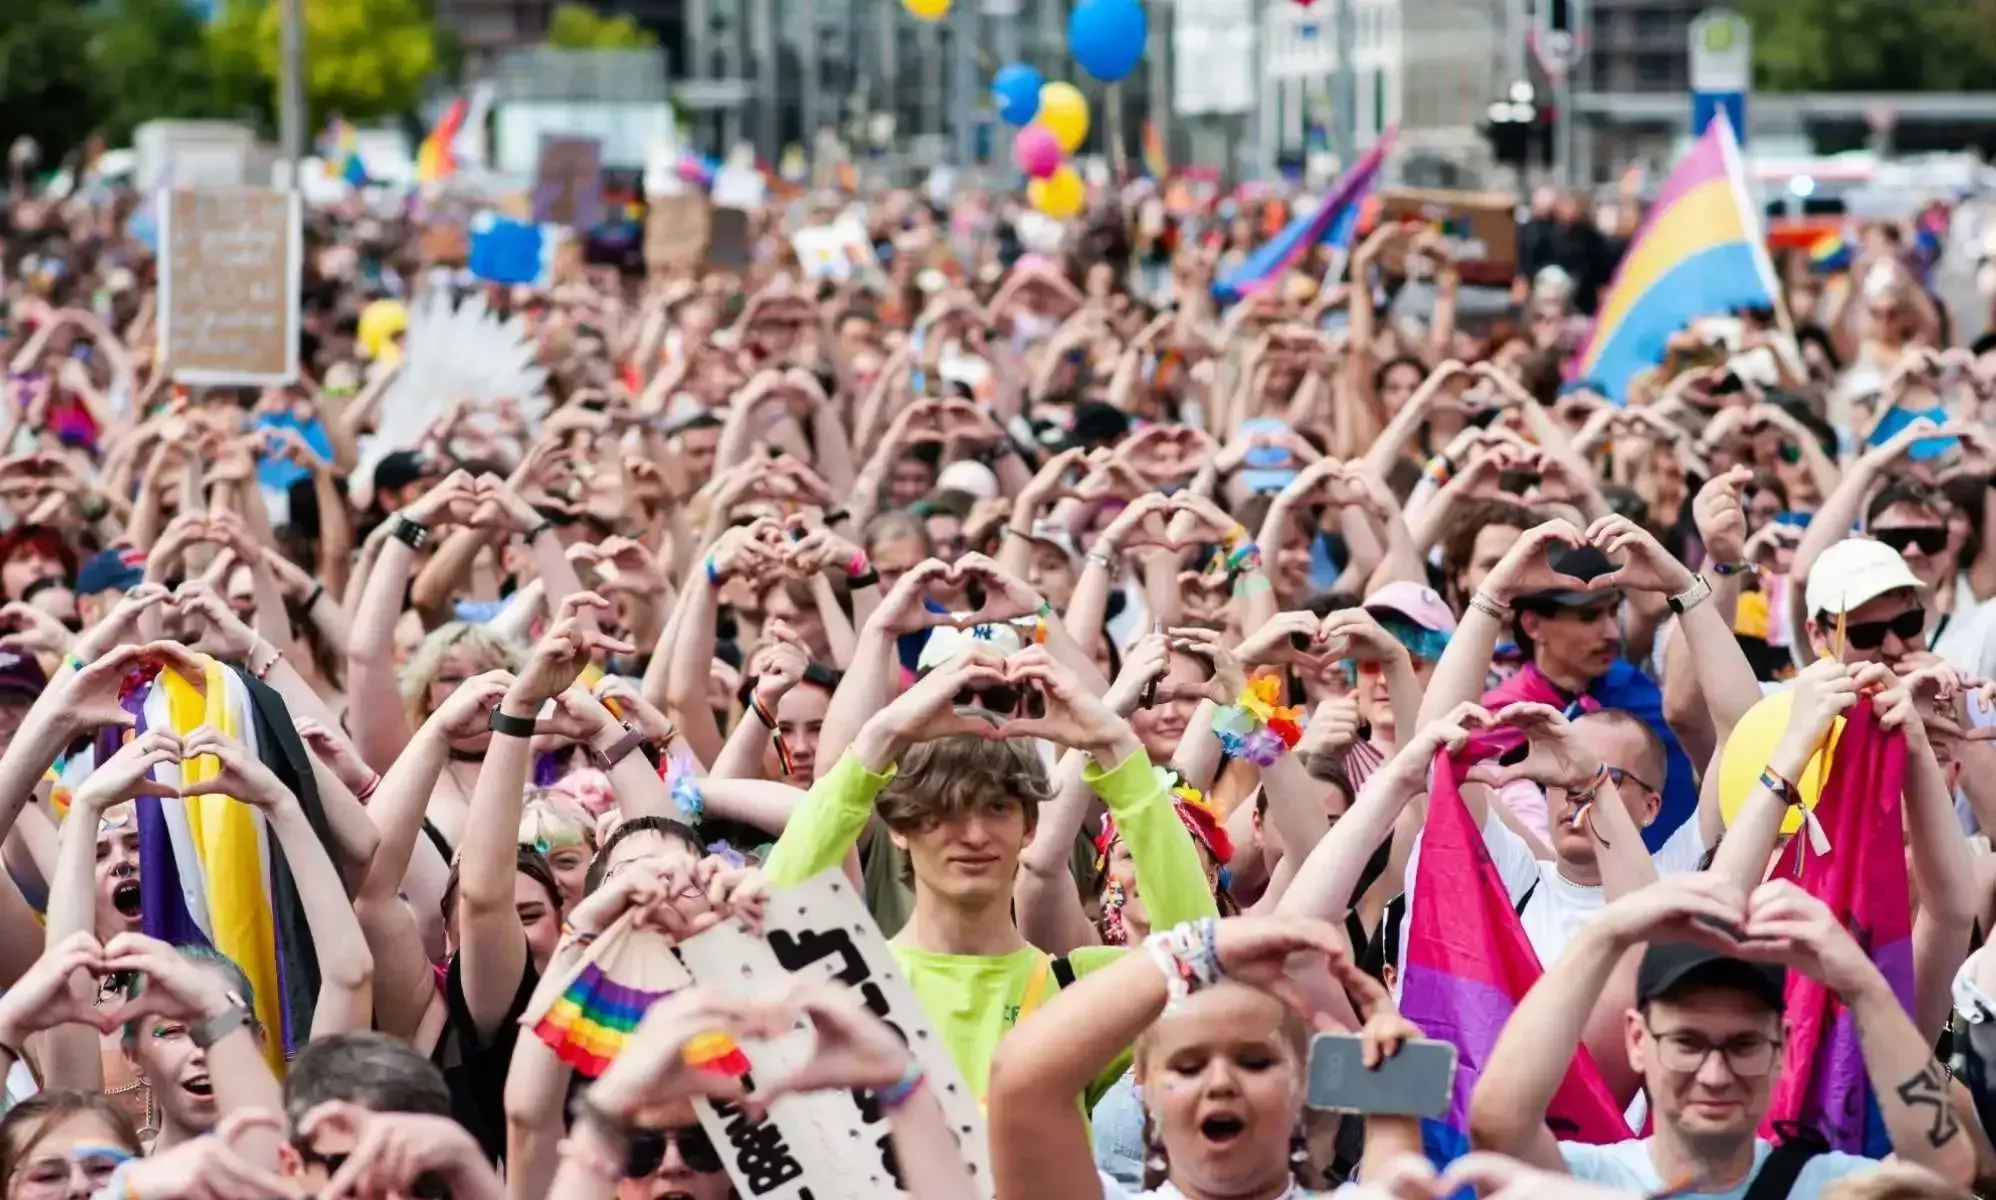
x: 835, y: 1145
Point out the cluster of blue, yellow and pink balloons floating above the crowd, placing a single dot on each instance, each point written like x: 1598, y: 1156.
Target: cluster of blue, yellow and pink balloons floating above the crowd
x: 1107, y: 37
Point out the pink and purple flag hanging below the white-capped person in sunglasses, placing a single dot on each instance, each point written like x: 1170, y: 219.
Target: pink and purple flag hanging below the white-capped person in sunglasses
x: 1863, y: 880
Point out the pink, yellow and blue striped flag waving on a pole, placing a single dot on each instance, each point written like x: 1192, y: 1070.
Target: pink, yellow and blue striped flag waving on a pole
x: 1698, y: 255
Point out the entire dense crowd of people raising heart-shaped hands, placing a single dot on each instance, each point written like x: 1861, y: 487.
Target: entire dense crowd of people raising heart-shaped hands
x: 1117, y: 646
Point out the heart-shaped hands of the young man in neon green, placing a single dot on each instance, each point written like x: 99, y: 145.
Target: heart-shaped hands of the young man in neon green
x: 1063, y: 710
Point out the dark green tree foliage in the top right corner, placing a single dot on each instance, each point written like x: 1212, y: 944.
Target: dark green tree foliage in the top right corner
x: 1873, y: 45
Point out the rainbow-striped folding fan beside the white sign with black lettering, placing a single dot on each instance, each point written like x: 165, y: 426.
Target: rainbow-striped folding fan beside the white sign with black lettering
x: 624, y: 973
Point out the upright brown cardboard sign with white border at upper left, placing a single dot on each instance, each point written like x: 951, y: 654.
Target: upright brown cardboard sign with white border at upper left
x: 231, y: 265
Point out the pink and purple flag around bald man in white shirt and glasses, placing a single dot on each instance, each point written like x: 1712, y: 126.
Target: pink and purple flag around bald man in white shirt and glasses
x: 1470, y: 965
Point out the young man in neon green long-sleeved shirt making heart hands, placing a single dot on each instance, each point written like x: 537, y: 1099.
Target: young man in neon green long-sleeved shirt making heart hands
x: 959, y: 794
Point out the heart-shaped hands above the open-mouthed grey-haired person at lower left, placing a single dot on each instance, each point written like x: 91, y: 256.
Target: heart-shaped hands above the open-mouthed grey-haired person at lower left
x: 65, y: 983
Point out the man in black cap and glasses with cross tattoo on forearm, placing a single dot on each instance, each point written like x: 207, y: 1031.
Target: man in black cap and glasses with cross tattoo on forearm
x: 1708, y: 1037
